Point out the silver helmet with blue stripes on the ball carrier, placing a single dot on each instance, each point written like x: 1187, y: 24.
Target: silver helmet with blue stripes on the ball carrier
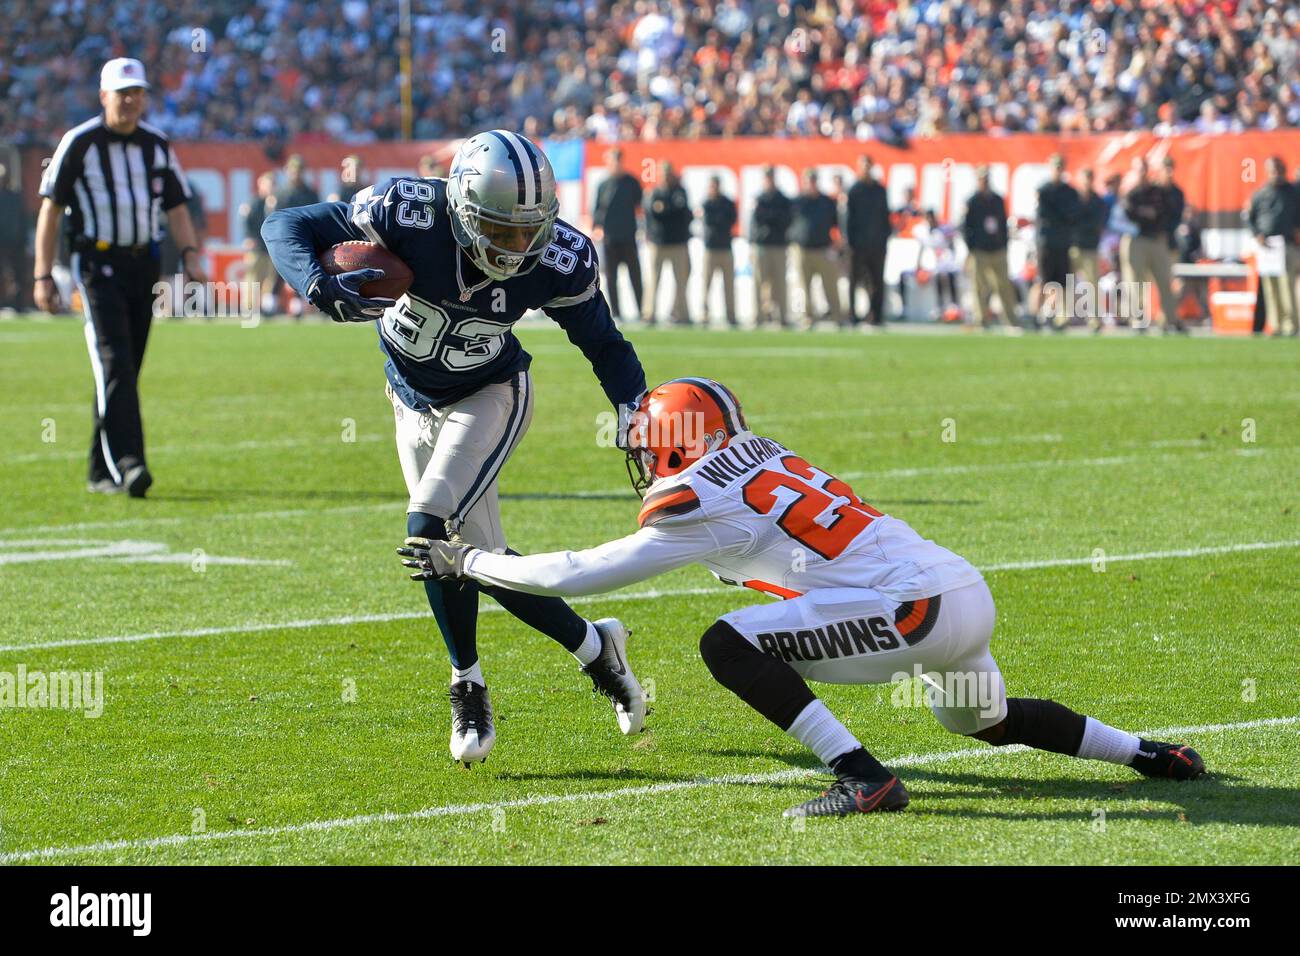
x: 501, y: 193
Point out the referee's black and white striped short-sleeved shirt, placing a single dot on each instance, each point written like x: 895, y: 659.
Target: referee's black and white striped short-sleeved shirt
x: 115, y: 187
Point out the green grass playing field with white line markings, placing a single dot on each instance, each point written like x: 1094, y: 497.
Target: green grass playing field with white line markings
x: 294, y: 710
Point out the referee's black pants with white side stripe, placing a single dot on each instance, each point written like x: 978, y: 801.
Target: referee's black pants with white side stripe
x: 118, y: 297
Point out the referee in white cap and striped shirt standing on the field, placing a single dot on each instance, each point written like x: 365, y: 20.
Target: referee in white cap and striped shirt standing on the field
x: 111, y: 178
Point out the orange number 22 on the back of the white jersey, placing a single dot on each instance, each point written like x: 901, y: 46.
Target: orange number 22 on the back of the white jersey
x: 805, y: 498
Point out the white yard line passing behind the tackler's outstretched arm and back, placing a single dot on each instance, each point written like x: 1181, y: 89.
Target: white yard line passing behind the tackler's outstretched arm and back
x: 630, y: 596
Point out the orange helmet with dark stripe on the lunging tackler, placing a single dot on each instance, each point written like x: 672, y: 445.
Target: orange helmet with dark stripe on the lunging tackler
x: 677, y: 425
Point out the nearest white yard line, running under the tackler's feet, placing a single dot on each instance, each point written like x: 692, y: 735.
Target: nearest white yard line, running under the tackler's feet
x: 551, y: 799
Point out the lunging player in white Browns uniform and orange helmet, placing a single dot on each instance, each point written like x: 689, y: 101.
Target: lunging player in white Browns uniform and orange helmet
x: 866, y: 599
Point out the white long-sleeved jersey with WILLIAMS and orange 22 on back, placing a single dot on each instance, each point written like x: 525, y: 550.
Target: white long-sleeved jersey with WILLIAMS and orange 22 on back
x: 755, y: 514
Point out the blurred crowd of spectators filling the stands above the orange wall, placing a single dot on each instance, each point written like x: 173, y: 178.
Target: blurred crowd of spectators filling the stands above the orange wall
x: 648, y: 70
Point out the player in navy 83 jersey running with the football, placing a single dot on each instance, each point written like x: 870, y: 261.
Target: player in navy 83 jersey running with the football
x: 486, y: 246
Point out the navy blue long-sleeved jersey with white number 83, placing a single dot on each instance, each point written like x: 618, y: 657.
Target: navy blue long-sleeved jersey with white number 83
x: 450, y: 335
